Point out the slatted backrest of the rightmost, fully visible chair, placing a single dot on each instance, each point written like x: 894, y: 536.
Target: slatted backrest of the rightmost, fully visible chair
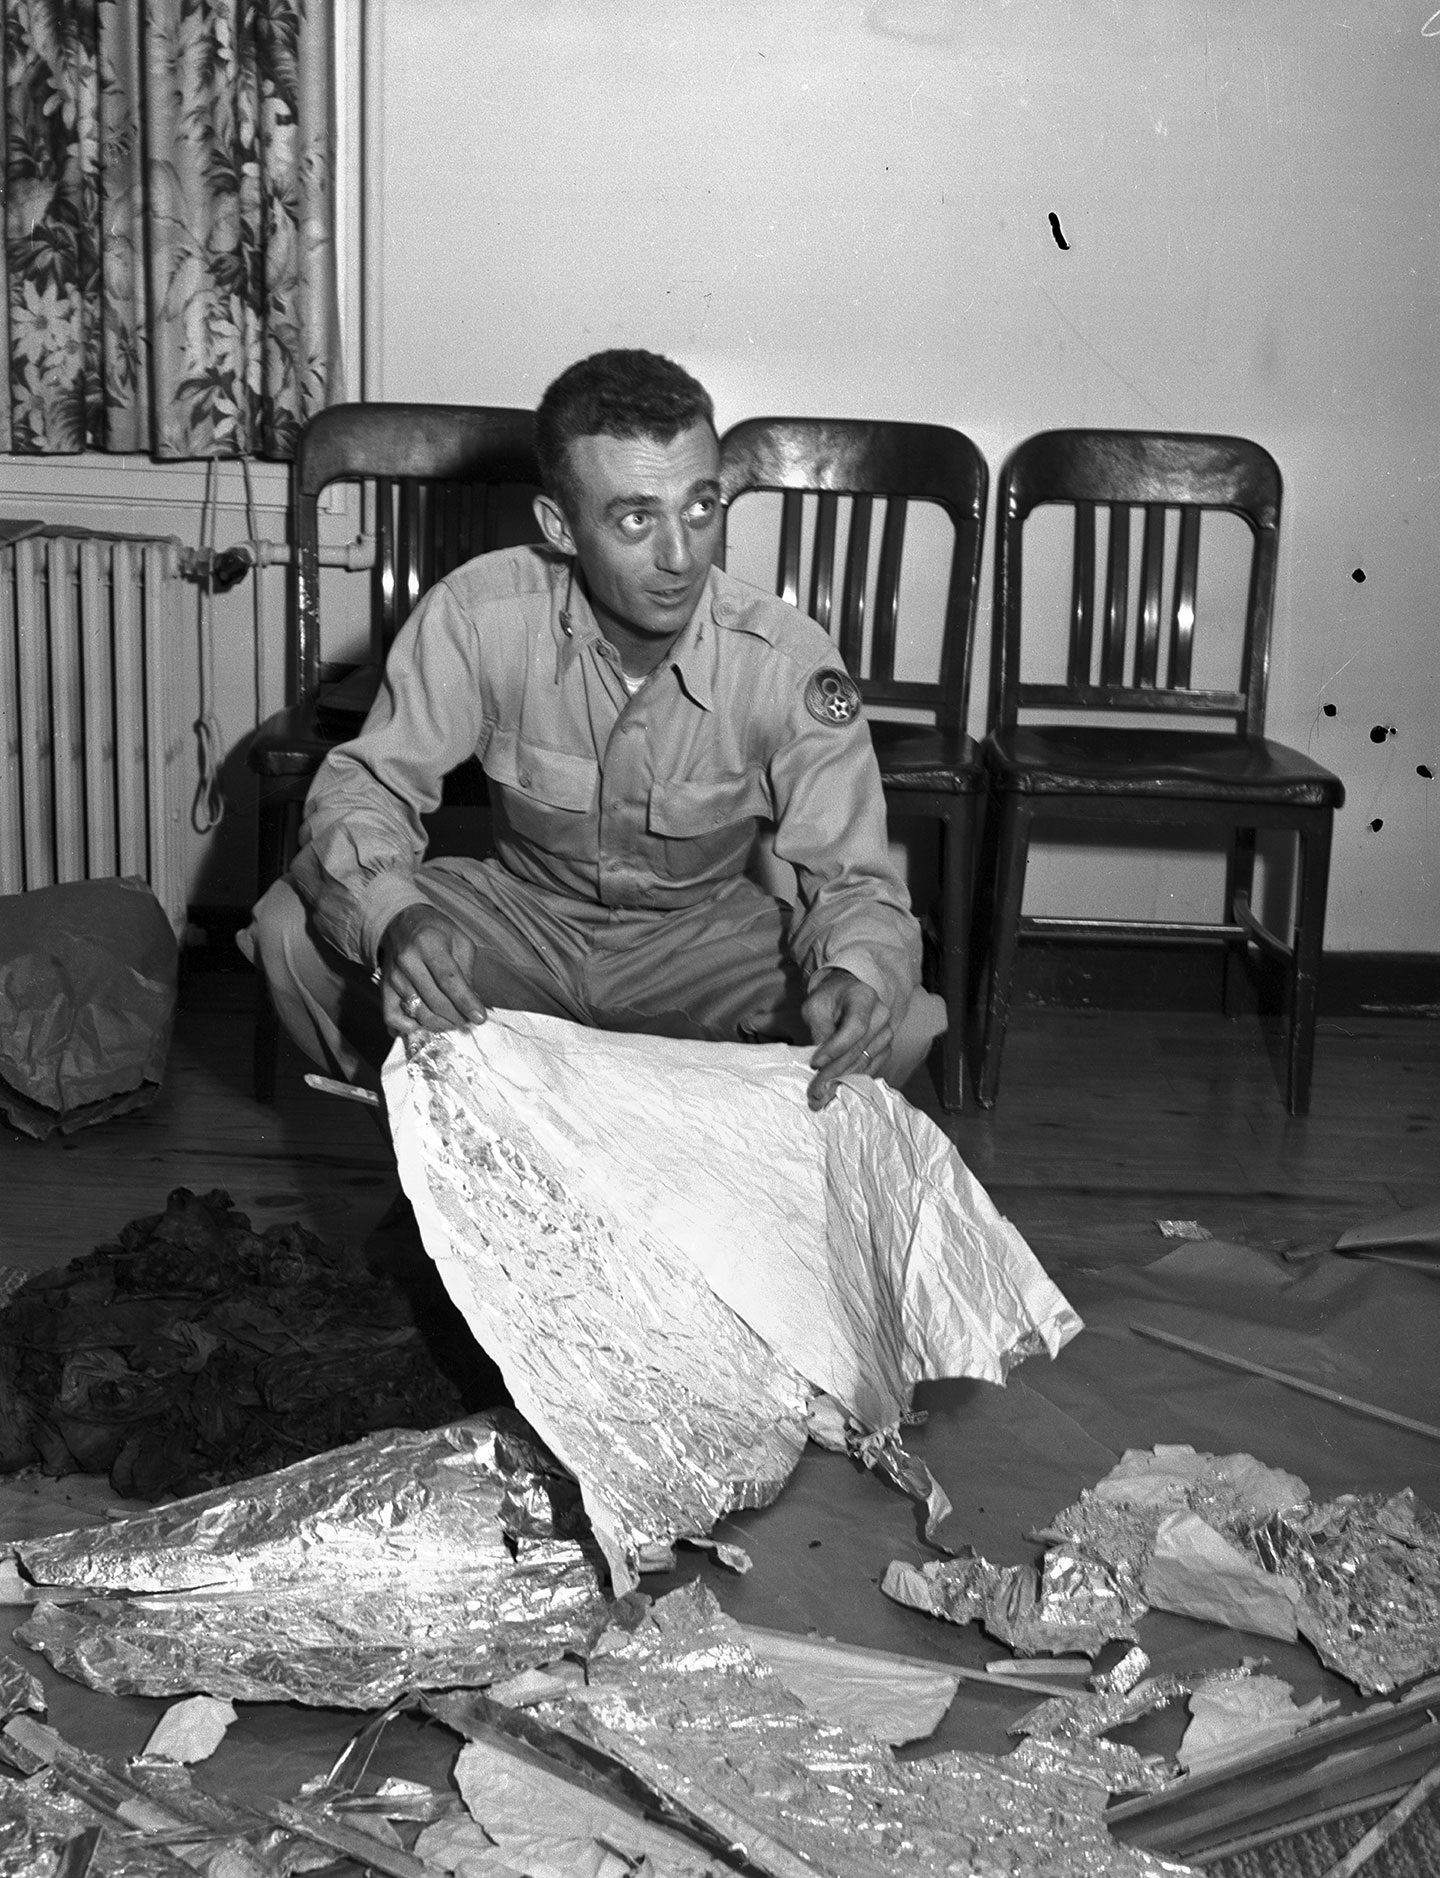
x: 1157, y: 472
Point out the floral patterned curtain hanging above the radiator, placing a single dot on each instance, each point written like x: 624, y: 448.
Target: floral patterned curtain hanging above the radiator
x: 170, y: 277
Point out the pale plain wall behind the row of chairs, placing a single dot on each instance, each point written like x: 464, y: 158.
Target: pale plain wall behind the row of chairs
x: 844, y: 209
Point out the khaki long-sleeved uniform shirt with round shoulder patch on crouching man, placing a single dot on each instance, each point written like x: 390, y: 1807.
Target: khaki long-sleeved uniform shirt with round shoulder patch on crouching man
x: 626, y: 801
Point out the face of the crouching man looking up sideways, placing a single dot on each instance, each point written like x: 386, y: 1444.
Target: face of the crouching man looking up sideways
x: 645, y: 525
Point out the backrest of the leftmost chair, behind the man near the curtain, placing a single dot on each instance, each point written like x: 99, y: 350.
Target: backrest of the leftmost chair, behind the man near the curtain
x: 450, y: 482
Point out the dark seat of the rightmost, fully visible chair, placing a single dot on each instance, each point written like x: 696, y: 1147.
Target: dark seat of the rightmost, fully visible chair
x: 1142, y: 763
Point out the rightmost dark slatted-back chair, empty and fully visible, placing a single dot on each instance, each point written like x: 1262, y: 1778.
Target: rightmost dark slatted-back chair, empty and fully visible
x: 1141, y: 658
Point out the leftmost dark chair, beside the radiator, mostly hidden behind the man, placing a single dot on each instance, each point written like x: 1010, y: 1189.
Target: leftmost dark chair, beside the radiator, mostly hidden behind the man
x: 446, y: 482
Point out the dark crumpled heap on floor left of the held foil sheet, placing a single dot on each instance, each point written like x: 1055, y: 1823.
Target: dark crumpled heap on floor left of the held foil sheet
x: 196, y: 1353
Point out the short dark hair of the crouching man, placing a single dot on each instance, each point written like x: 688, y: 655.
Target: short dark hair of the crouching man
x: 615, y: 395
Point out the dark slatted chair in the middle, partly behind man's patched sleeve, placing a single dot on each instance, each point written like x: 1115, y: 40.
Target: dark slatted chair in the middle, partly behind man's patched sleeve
x: 928, y: 769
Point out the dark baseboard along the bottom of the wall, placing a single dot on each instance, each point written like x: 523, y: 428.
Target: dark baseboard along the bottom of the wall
x: 1067, y: 974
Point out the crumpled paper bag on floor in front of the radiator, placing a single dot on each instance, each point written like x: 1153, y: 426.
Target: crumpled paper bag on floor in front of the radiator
x: 87, y: 1000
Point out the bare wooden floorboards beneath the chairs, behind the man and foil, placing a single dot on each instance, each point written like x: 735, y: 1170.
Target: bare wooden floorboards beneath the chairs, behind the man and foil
x: 1107, y: 1124
